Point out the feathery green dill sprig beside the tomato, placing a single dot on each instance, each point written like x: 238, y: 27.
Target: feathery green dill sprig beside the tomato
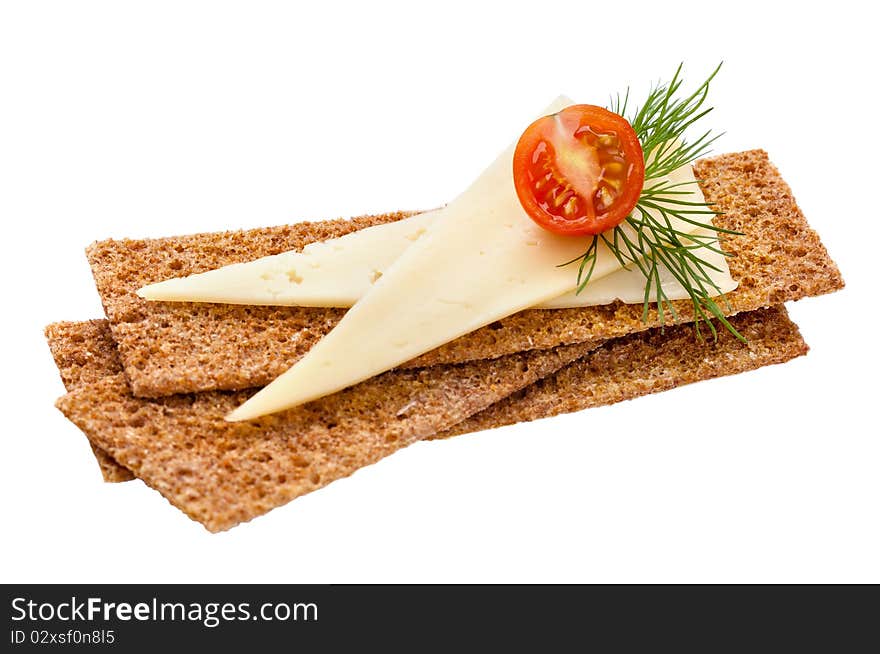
x: 652, y: 240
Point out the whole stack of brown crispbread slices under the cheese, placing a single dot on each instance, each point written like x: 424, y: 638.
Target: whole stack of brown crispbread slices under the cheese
x: 150, y: 385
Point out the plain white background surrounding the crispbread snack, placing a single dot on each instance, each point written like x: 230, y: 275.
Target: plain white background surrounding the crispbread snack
x: 157, y: 118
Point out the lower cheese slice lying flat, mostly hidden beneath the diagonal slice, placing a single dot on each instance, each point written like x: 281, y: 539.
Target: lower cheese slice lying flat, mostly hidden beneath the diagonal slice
x: 340, y: 271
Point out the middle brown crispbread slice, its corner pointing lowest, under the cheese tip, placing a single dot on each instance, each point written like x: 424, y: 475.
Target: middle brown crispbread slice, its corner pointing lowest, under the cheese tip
x: 222, y: 473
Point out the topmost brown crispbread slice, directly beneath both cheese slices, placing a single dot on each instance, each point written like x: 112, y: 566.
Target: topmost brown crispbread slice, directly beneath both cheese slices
x: 181, y: 347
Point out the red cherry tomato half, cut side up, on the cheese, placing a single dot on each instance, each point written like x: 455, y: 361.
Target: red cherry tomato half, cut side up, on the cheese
x: 579, y: 171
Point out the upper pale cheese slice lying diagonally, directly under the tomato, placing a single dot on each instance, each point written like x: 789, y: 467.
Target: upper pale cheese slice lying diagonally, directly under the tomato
x: 482, y: 259
